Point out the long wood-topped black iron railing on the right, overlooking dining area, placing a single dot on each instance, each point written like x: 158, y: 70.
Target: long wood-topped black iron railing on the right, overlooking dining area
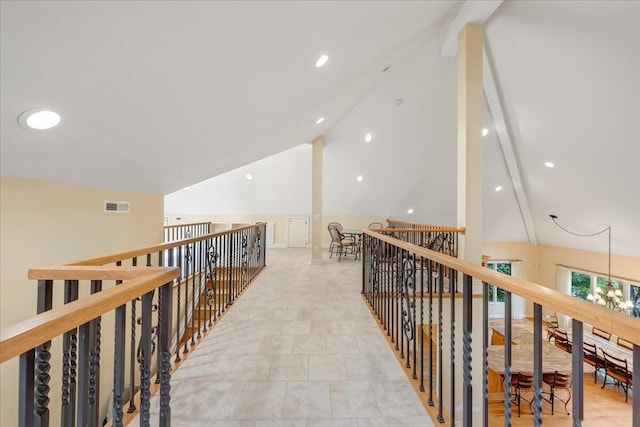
x: 414, y: 299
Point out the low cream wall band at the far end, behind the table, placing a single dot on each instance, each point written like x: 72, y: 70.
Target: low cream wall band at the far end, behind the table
x: 280, y: 222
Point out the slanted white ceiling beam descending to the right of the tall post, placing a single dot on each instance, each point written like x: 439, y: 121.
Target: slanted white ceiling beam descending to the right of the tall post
x: 507, y: 144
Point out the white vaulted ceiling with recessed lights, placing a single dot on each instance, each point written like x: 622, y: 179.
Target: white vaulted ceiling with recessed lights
x: 157, y: 96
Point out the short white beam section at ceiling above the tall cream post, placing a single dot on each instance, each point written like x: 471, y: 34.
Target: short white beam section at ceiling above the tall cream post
x: 475, y: 12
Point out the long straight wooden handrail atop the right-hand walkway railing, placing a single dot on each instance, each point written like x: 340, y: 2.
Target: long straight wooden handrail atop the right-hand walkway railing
x: 619, y: 324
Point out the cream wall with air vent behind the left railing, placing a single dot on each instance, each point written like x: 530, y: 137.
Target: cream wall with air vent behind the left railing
x: 44, y: 223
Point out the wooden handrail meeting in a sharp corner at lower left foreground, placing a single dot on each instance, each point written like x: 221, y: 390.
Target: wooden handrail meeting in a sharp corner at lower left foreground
x: 22, y: 336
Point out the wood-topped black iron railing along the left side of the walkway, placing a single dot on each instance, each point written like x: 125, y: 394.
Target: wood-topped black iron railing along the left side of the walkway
x: 152, y: 331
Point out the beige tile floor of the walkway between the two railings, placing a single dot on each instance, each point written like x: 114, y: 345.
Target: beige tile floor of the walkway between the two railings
x: 298, y: 349
